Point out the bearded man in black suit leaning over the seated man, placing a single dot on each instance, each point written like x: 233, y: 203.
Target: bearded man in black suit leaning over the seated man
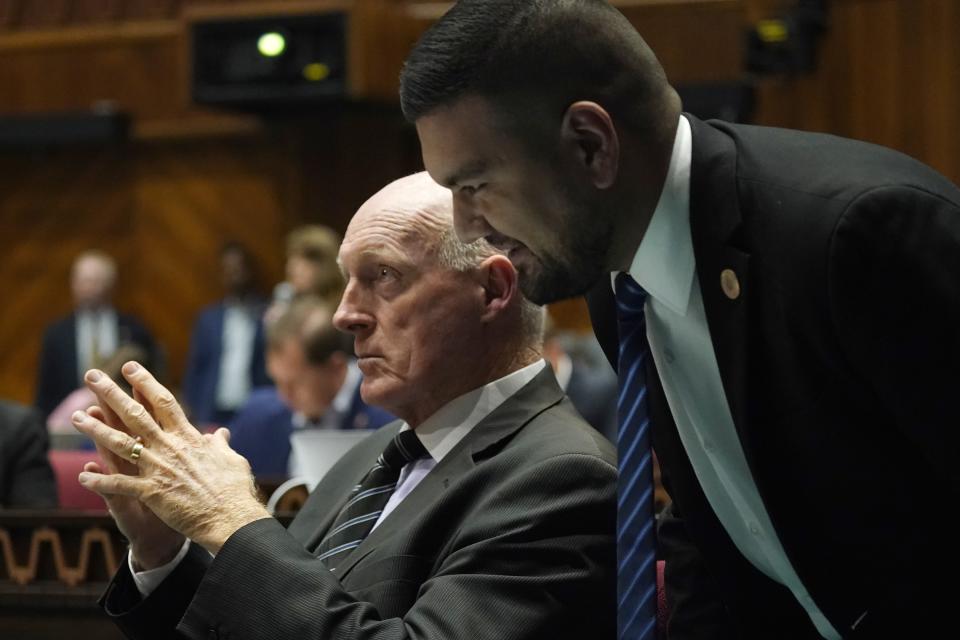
x: 800, y: 296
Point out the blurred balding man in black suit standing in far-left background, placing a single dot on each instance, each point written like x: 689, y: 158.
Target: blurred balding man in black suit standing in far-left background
x: 89, y: 335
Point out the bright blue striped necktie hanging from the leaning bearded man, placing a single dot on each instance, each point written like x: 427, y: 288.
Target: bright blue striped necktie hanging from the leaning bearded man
x: 636, y: 564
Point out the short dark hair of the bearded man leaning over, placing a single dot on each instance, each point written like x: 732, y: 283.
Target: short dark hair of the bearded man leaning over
x: 544, y: 54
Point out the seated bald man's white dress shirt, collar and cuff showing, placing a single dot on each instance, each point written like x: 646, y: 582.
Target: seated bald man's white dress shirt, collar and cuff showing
x: 439, y: 433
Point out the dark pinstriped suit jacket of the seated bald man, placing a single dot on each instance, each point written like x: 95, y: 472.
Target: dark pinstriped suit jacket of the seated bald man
x: 509, y: 537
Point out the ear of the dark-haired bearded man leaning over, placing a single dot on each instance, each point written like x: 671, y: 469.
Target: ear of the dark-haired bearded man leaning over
x: 588, y: 132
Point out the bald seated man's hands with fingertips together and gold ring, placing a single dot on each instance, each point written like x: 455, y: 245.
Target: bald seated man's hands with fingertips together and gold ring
x: 163, y: 479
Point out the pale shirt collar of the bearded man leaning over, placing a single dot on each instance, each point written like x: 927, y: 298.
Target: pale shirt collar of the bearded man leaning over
x: 664, y: 264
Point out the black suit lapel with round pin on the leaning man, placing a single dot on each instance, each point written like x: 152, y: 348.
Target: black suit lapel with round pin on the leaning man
x: 714, y: 222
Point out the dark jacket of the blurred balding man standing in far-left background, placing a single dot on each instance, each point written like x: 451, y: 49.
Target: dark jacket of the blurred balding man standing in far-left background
x: 58, y: 376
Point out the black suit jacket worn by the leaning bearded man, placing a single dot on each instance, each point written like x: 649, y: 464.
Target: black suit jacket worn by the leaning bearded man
x: 839, y: 362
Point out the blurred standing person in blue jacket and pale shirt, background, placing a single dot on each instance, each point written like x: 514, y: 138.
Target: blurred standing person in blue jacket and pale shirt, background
x: 226, y: 350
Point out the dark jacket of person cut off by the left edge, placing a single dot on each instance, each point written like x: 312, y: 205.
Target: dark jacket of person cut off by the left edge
x: 26, y: 479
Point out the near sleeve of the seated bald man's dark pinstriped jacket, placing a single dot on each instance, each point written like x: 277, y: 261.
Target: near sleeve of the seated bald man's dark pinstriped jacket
x: 543, y: 535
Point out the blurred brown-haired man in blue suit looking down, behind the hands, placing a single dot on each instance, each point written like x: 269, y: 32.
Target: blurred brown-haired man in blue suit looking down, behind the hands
x: 317, y: 387
